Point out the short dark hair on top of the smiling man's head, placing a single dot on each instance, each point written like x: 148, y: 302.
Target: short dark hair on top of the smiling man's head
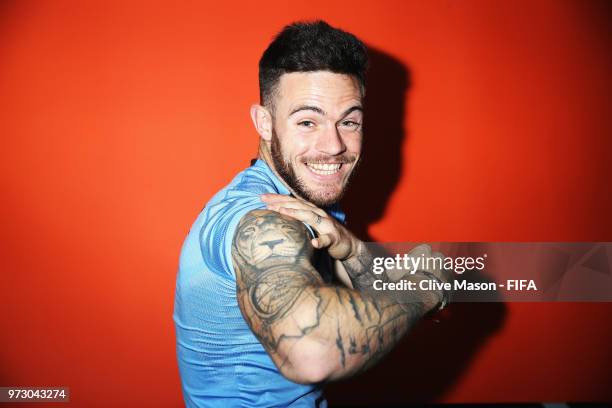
x: 311, y: 46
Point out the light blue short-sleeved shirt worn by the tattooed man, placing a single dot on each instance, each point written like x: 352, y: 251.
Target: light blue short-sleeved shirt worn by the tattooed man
x: 221, y: 362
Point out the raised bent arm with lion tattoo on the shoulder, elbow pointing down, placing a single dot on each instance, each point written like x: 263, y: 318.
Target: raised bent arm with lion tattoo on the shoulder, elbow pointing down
x: 312, y: 331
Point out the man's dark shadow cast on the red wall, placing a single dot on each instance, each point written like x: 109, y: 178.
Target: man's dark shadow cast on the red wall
x: 430, y: 360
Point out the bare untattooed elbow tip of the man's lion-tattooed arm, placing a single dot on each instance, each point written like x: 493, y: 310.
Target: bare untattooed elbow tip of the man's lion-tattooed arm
x: 309, y: 362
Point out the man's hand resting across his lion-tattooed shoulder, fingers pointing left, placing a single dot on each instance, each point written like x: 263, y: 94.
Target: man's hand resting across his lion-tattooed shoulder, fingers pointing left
x: 341, y: 244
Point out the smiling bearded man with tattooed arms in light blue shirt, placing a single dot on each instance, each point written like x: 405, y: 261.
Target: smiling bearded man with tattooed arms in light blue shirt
x: 274, y: 295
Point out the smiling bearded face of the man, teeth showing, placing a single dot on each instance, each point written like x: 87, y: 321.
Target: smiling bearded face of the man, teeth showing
x: 317, y: 133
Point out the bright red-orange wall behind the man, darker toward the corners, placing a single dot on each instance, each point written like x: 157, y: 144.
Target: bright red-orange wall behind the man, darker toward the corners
x: 120, y: 119
